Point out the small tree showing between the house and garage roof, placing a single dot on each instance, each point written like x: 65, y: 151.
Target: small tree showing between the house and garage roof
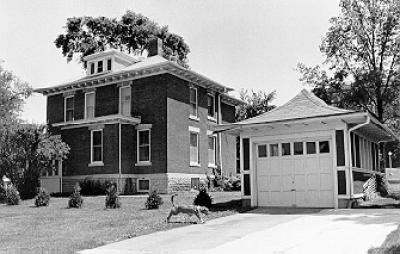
x: 256, y: 103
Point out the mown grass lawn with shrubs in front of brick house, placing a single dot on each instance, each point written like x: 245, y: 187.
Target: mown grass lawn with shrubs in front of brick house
x: 28, y: 229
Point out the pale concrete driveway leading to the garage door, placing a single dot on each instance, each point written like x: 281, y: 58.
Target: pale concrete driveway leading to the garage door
x: 270, y: 231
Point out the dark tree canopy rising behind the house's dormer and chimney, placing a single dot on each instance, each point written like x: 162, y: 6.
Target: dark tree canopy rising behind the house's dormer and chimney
x: 130, y: 33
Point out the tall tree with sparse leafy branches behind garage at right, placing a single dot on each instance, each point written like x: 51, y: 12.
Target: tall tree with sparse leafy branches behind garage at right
x: 362, y: 50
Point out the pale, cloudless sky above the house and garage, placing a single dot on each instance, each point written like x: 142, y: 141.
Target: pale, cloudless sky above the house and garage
x: 241, y: 44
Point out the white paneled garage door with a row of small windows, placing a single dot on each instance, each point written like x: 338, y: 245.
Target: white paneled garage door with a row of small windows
x: 297, y: 173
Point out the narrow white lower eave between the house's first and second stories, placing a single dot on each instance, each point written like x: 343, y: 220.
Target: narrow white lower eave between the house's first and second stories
x: 110, y: 119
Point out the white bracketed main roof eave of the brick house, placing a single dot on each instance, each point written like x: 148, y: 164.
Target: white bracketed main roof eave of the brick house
x: 129, y: 75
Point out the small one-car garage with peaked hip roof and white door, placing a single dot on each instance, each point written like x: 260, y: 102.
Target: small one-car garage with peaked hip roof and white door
x: 305, y: 154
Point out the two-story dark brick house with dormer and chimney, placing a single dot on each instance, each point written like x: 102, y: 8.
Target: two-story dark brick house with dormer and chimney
x: 145, y: 124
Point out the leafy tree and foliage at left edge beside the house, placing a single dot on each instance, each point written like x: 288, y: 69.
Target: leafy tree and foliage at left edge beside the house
x: 25, y: 149
